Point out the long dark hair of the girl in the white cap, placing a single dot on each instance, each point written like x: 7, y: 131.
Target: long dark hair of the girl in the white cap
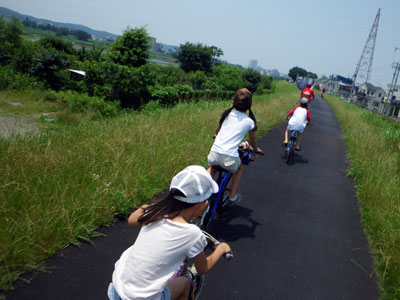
x: 167, y: 208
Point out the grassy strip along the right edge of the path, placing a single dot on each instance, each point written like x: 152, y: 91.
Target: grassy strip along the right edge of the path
x: 373, y: 145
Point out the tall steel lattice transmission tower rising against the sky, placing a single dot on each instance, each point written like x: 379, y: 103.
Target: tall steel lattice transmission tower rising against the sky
x: 364, y: 66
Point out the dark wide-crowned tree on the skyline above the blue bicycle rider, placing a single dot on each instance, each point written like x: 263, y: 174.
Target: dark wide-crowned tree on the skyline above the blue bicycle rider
x: 197, y: 57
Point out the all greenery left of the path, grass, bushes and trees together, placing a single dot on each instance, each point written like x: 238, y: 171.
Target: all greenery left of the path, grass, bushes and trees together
x: 108, y: 140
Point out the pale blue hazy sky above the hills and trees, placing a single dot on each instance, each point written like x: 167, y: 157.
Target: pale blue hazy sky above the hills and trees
x: 321, y: 36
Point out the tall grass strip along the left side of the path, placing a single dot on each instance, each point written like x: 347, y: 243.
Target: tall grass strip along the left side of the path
x: 59, y: 186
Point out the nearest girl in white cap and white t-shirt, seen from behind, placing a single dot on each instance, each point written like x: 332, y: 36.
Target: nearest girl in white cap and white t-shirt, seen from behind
x: 166, y: 238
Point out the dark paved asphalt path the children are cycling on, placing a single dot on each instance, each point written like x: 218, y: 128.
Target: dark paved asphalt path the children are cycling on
x: 296, y: 234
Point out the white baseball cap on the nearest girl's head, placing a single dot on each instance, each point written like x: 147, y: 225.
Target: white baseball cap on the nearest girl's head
x: 195, y: 183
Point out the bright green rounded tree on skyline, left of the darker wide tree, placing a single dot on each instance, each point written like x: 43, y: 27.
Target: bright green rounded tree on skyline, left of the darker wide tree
x: 132, y: 48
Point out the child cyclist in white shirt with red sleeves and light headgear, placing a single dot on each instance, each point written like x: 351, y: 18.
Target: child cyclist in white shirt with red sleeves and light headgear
x: 298, y: 117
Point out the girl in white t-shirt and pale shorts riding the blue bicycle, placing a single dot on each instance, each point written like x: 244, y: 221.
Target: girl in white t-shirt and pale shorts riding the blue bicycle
x: 232, y: 128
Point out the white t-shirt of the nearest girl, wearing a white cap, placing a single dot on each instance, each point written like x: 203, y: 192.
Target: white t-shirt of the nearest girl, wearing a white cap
x: 145, y: 268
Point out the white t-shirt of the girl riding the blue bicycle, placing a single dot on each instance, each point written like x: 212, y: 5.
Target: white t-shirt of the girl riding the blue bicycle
x: 232, y: 132
